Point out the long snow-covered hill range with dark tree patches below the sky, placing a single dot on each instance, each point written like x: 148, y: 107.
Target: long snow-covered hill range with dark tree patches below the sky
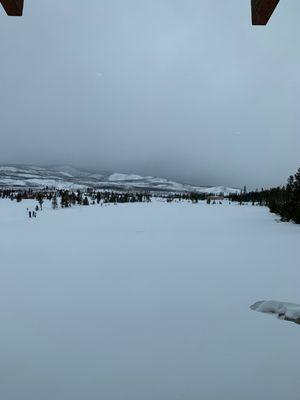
x: 67, y: 177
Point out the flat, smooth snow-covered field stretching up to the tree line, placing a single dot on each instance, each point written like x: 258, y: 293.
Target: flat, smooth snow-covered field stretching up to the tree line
x: 146, y: 301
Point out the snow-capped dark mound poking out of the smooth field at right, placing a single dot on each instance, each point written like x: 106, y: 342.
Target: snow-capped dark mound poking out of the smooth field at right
x: 283, y: 310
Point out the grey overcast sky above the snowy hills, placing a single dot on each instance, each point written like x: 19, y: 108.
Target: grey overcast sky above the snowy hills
x: 182, y: 89
